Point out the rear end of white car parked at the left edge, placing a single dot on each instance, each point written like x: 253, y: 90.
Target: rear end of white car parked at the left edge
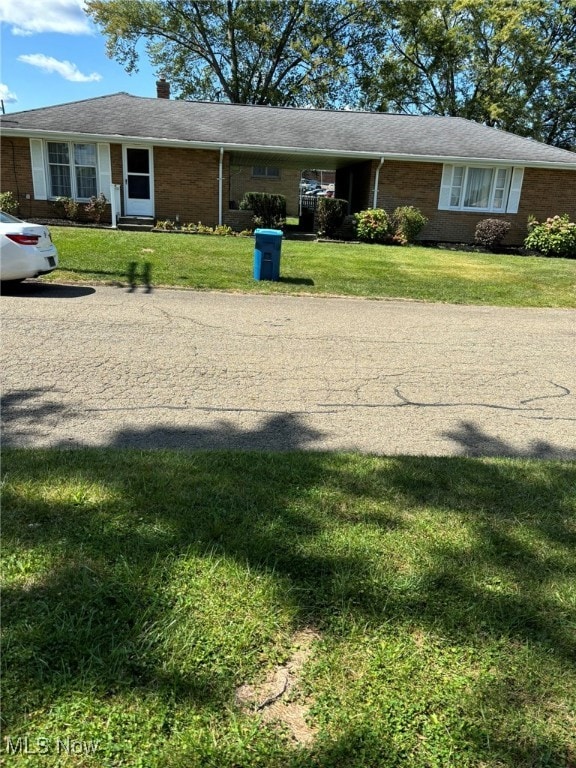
x: 26, y: 250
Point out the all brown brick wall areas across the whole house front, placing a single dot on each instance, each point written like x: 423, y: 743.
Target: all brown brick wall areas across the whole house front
x: 186, y: 184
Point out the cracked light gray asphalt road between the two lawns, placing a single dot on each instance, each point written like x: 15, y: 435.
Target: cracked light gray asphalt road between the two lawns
x: 103, y: 366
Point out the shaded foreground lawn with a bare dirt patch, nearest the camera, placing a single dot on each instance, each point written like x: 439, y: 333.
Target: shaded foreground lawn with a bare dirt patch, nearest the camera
x: 425, y: 607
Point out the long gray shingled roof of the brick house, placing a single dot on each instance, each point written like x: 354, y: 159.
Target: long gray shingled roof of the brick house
x: 246, y: 128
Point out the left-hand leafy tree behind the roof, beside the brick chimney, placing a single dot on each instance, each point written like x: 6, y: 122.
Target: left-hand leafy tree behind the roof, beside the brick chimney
x: 291, y: 52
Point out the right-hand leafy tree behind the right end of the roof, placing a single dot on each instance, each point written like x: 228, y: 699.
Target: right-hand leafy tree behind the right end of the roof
x: 505, y: 63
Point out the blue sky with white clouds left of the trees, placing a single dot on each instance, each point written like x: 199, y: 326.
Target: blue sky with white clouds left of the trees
x: 51, y: 53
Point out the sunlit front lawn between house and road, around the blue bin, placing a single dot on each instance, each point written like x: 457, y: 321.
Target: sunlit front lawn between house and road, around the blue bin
x: 219, y: 263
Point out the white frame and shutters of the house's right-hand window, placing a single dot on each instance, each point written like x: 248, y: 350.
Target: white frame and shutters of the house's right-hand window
x: 510, y: 190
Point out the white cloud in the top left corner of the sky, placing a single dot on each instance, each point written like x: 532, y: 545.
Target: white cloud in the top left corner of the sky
x: 29, y: 17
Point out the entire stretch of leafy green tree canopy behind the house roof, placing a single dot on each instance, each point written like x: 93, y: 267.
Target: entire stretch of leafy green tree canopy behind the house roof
x: 505, y: 63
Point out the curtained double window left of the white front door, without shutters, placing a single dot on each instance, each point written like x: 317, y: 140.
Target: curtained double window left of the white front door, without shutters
x: 72, y: 170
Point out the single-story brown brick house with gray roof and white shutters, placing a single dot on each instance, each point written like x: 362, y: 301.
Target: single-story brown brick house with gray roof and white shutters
x: 160, y: 158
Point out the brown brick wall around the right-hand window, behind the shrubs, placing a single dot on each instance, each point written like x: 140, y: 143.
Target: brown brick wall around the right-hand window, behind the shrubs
x: 544, y: 193
